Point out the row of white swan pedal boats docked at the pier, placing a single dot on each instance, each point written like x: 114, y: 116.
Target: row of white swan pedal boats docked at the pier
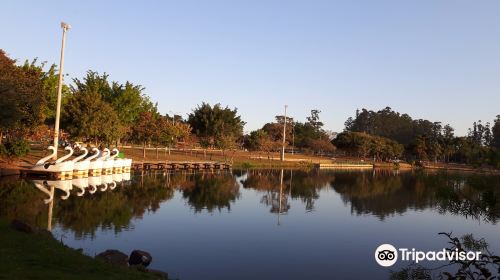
x: 103, y: 162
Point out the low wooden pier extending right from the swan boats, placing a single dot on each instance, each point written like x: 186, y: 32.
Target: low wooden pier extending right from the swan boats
x: 166, y: 165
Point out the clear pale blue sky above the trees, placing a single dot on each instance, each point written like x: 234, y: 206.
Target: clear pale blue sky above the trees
x: 436, y: 60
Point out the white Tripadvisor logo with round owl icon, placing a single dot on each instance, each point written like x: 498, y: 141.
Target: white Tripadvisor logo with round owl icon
x: 387, y: 255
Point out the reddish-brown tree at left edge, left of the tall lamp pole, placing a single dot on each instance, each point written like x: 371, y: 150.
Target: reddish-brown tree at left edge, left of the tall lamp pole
x: 23, y: 98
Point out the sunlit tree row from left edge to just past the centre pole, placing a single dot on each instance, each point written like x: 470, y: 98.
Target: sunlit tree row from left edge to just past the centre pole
x: 100, y: 111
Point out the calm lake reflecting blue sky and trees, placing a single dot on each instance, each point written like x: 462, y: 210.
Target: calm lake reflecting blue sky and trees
x: 264, y: 224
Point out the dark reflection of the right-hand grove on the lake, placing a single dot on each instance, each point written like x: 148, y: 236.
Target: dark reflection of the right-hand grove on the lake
x: 383, y: 194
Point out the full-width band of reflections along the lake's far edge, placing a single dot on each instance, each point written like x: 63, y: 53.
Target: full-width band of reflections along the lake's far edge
x: 111, y: 202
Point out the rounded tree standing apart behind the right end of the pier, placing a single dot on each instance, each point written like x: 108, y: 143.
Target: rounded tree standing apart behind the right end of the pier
x: 214, y: 124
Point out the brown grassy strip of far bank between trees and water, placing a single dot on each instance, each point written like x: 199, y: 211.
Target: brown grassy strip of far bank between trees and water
x: 250, y: 160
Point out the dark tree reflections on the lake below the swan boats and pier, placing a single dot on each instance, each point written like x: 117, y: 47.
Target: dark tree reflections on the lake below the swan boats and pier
x: 114, y: 204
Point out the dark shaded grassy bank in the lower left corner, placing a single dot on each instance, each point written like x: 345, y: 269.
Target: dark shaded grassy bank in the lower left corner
x: 39, y: 256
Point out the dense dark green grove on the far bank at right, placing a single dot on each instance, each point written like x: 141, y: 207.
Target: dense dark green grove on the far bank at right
x: 426, y: 140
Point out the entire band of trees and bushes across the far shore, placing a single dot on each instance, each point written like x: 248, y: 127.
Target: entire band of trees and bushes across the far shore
x: 101, y: 112
